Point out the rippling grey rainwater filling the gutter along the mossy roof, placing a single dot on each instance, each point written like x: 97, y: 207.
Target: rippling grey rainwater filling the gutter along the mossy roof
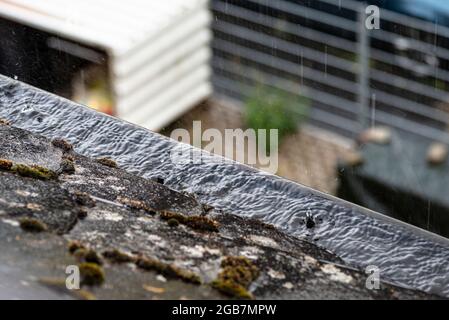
x: 403, y: 254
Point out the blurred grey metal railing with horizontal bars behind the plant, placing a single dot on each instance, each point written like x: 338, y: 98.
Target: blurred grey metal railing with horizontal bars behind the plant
x: 355, y: 77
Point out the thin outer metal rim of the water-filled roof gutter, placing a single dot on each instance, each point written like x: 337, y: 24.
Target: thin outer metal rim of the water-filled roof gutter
x: 368, y: 212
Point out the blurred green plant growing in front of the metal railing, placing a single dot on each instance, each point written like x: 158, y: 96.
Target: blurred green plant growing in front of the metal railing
x: 269, y: 108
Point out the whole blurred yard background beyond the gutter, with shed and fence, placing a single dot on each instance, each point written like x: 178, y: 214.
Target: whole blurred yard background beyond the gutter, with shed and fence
x: 362, y: 113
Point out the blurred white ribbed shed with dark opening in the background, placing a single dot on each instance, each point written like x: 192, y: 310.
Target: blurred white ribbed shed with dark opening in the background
x: 144, y: 61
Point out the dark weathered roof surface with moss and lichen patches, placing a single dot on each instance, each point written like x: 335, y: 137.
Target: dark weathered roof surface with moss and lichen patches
x: 58, y: 208
